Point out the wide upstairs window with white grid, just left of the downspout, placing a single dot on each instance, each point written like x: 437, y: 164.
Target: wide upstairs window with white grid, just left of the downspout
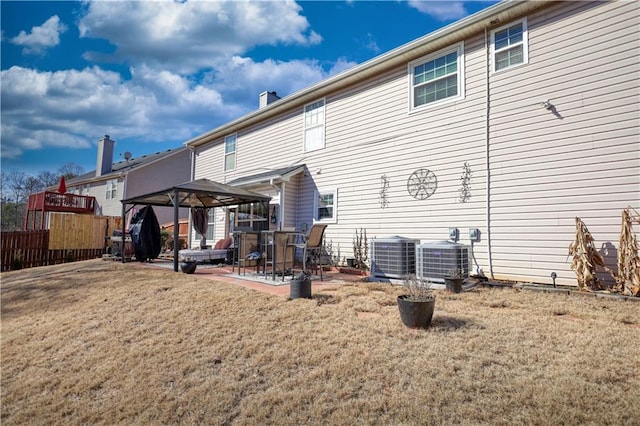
x: 437, y: 77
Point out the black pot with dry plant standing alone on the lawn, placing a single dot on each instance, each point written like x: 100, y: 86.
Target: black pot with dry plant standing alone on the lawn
x: 417, y: 305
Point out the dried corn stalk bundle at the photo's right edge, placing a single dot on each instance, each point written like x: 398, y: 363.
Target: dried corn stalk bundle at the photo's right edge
x: 628, y: 279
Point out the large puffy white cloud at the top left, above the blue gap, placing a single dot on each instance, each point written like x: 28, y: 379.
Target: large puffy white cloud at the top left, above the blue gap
x: 191, y: 36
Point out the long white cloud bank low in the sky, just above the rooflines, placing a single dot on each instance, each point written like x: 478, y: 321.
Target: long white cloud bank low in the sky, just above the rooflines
x: 62, y: 108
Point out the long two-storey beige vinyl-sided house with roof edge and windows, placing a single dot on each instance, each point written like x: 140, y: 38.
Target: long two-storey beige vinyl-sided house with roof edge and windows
x: 514, y: 121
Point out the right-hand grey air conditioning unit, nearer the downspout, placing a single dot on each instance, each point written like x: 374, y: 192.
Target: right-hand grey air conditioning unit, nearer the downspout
x: 435, y: 259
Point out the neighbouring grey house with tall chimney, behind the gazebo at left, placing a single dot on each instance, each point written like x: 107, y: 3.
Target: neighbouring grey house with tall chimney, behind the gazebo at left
x: 112, y: 182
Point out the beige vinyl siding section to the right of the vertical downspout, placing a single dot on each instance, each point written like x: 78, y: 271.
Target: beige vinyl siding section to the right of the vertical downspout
x: 547, y: 168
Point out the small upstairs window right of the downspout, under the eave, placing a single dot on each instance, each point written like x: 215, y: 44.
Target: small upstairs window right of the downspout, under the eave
x: 509, y: 45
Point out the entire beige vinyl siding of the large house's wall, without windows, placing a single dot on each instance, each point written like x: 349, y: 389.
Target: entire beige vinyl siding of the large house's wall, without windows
x: 545, y: 168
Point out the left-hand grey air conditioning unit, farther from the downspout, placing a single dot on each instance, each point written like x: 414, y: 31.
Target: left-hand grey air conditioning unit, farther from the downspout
x: 393, y: 257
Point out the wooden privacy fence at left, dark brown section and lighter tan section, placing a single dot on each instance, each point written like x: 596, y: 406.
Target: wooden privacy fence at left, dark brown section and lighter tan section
x: 71, y: 237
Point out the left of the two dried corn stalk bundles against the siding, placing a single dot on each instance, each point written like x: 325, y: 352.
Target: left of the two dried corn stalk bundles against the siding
x: 585, y: 258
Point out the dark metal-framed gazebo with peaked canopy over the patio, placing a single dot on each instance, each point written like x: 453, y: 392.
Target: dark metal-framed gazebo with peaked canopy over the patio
x: 203, y: 193
